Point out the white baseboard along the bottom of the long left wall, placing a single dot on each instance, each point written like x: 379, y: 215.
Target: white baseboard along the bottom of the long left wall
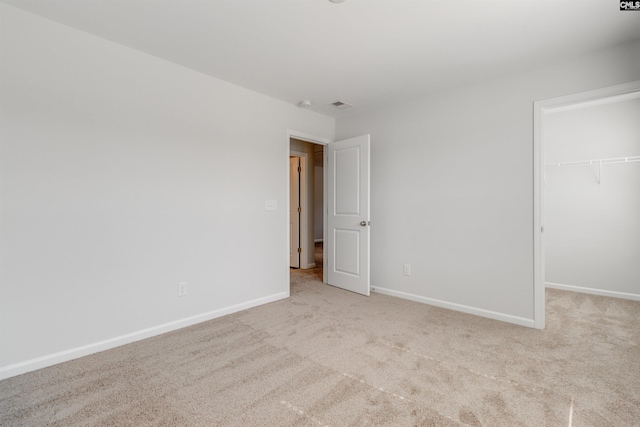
x: 74, y: 353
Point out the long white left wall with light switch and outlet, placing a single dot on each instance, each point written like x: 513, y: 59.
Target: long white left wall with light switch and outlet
x: 122, y: 174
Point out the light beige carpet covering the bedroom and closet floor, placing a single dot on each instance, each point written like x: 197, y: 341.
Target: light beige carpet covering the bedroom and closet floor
x: 330, y: 357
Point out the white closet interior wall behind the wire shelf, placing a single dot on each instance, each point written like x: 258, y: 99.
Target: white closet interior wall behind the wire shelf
x: 592, y: 231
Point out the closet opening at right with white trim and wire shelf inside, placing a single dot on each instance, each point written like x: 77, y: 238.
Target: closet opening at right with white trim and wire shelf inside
x: 588, y: 194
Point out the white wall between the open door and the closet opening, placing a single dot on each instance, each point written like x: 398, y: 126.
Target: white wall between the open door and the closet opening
x: 452, y: 185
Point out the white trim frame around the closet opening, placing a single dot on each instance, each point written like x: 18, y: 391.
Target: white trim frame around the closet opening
x: 540, y: 108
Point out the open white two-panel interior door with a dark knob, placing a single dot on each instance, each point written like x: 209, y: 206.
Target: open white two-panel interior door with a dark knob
x: 348, y: 214
